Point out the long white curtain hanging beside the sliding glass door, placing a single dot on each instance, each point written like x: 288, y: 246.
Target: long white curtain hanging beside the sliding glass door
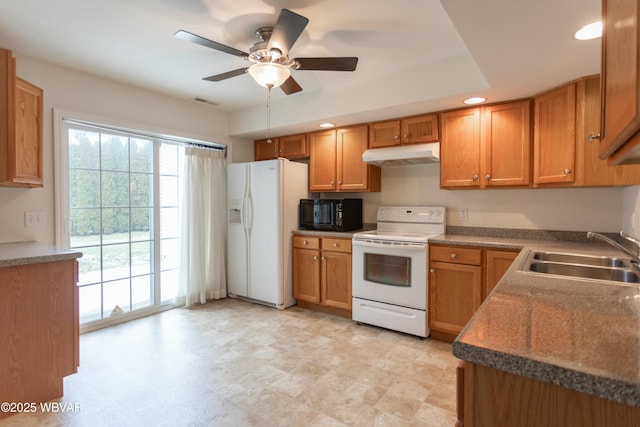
x: 203, y: 243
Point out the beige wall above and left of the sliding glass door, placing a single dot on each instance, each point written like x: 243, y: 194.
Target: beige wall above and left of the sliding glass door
x: 71, y: 90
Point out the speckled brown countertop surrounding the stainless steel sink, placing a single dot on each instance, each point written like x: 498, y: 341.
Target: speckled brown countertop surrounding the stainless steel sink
x: 577, y: 333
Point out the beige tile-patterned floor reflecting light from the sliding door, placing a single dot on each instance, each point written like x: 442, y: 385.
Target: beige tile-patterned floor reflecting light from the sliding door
x: 233, y: 363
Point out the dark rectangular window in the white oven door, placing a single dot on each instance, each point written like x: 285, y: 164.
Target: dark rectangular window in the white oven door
x: 389, y: 270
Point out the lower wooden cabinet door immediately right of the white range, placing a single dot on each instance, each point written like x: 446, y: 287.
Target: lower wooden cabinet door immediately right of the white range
x: 455, y: 293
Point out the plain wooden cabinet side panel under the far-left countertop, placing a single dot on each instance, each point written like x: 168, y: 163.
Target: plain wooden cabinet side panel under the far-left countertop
x: 37, y: 309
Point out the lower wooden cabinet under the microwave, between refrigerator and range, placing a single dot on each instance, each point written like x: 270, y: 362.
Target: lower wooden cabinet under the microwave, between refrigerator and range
x: 322, y: 273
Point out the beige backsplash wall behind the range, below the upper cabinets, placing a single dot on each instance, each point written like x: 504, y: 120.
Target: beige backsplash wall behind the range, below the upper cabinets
x: 575, y: 209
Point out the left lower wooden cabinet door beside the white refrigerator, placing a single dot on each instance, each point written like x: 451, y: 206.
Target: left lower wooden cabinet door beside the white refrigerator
x: 306, y: 274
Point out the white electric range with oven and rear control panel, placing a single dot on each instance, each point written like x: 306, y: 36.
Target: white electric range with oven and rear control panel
x: 389, y: 268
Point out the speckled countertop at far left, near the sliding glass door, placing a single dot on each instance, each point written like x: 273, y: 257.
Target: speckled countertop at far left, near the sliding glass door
x: 12, y: 254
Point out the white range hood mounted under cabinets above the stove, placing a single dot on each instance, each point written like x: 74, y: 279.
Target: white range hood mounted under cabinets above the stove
x: 403, y: 155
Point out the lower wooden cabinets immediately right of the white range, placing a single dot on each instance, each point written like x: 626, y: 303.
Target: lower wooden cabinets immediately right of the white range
x: 460, y: 278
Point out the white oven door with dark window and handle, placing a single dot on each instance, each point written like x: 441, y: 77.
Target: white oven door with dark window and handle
x: 390, y: 272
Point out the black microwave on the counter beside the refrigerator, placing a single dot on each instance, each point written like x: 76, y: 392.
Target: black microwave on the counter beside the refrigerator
x: 330, y: 214
